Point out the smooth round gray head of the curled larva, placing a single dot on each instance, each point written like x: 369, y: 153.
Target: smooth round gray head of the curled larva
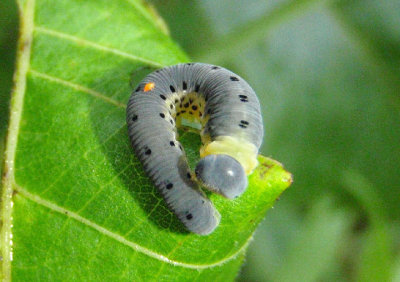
x: 222, y: 174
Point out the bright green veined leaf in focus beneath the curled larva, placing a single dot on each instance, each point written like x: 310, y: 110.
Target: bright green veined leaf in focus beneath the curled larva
x: 76, y: 204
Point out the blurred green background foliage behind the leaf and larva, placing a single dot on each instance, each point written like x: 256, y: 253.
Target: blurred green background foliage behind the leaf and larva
x: 328, y: 77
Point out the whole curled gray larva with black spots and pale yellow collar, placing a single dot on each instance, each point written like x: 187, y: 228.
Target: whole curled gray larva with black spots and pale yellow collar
x: 232, y: 131
